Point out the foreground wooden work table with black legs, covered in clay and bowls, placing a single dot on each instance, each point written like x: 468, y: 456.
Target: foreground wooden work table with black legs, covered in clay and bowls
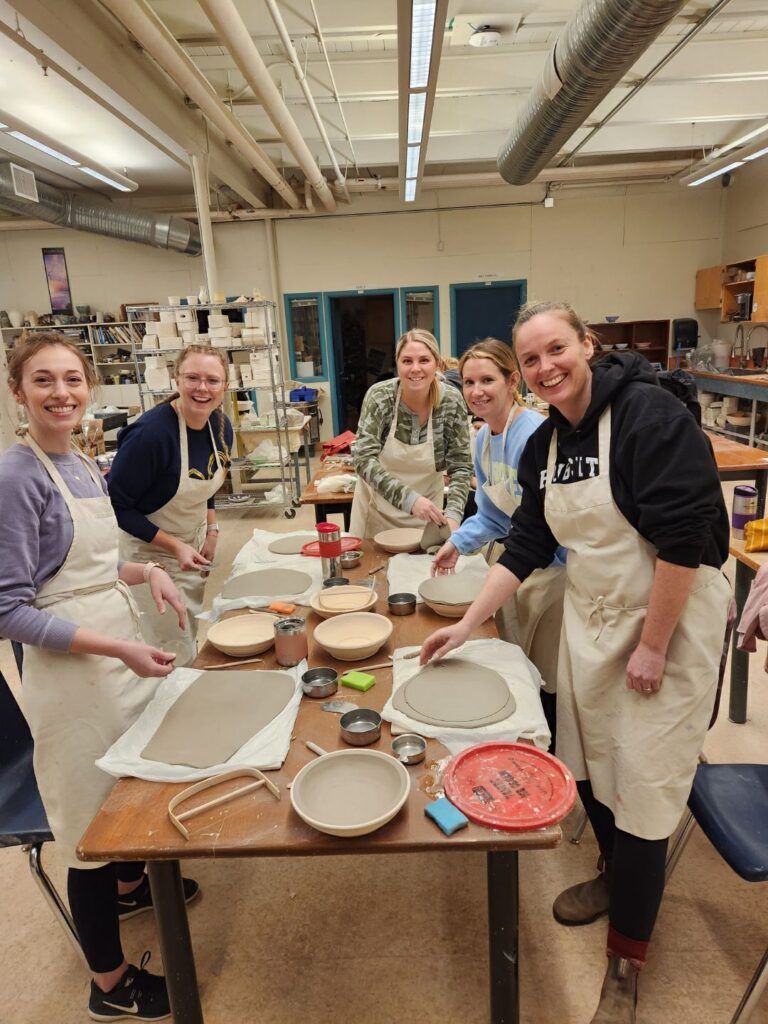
x: 134, y: 825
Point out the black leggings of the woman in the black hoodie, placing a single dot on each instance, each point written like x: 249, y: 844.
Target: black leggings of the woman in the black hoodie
x: 636, y: 869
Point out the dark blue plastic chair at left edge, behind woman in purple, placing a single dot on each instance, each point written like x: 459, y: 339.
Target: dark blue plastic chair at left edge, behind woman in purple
x: 23, y: 821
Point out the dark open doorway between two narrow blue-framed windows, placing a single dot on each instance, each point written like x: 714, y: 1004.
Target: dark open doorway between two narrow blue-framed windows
x: 364, y: 333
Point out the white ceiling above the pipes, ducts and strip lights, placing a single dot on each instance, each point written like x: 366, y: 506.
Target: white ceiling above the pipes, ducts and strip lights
x: 712, y: 93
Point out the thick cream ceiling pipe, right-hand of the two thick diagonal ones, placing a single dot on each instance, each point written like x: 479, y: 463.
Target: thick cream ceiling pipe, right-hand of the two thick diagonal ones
x: 227, y: 20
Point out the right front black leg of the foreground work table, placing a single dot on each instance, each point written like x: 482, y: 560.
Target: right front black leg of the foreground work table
x: 503, y: 934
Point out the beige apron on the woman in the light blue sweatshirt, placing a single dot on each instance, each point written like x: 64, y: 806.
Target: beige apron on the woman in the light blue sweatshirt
x: 533, y: 618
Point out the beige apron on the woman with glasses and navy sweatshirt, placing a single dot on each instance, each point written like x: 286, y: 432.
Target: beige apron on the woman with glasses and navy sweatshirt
x: 185, y: 518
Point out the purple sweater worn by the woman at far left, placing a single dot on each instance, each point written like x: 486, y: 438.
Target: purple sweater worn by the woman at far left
x: 34, y: 543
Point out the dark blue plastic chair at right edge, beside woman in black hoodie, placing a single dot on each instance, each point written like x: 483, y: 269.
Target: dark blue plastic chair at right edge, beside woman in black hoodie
x: 731, y: 805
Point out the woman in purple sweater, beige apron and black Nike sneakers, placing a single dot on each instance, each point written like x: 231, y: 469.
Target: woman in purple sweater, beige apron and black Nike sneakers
x: 88, y: 675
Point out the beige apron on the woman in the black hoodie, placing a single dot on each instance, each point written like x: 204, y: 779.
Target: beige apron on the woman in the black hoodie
x: 641, y: 753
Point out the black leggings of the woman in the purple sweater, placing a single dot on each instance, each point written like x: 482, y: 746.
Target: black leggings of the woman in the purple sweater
x: 94, y: 903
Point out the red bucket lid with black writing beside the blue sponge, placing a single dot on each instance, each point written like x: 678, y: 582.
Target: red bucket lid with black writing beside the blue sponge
x: 513, y: 787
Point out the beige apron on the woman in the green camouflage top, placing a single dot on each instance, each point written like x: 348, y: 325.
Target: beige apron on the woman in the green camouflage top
x: 414, y: 465
